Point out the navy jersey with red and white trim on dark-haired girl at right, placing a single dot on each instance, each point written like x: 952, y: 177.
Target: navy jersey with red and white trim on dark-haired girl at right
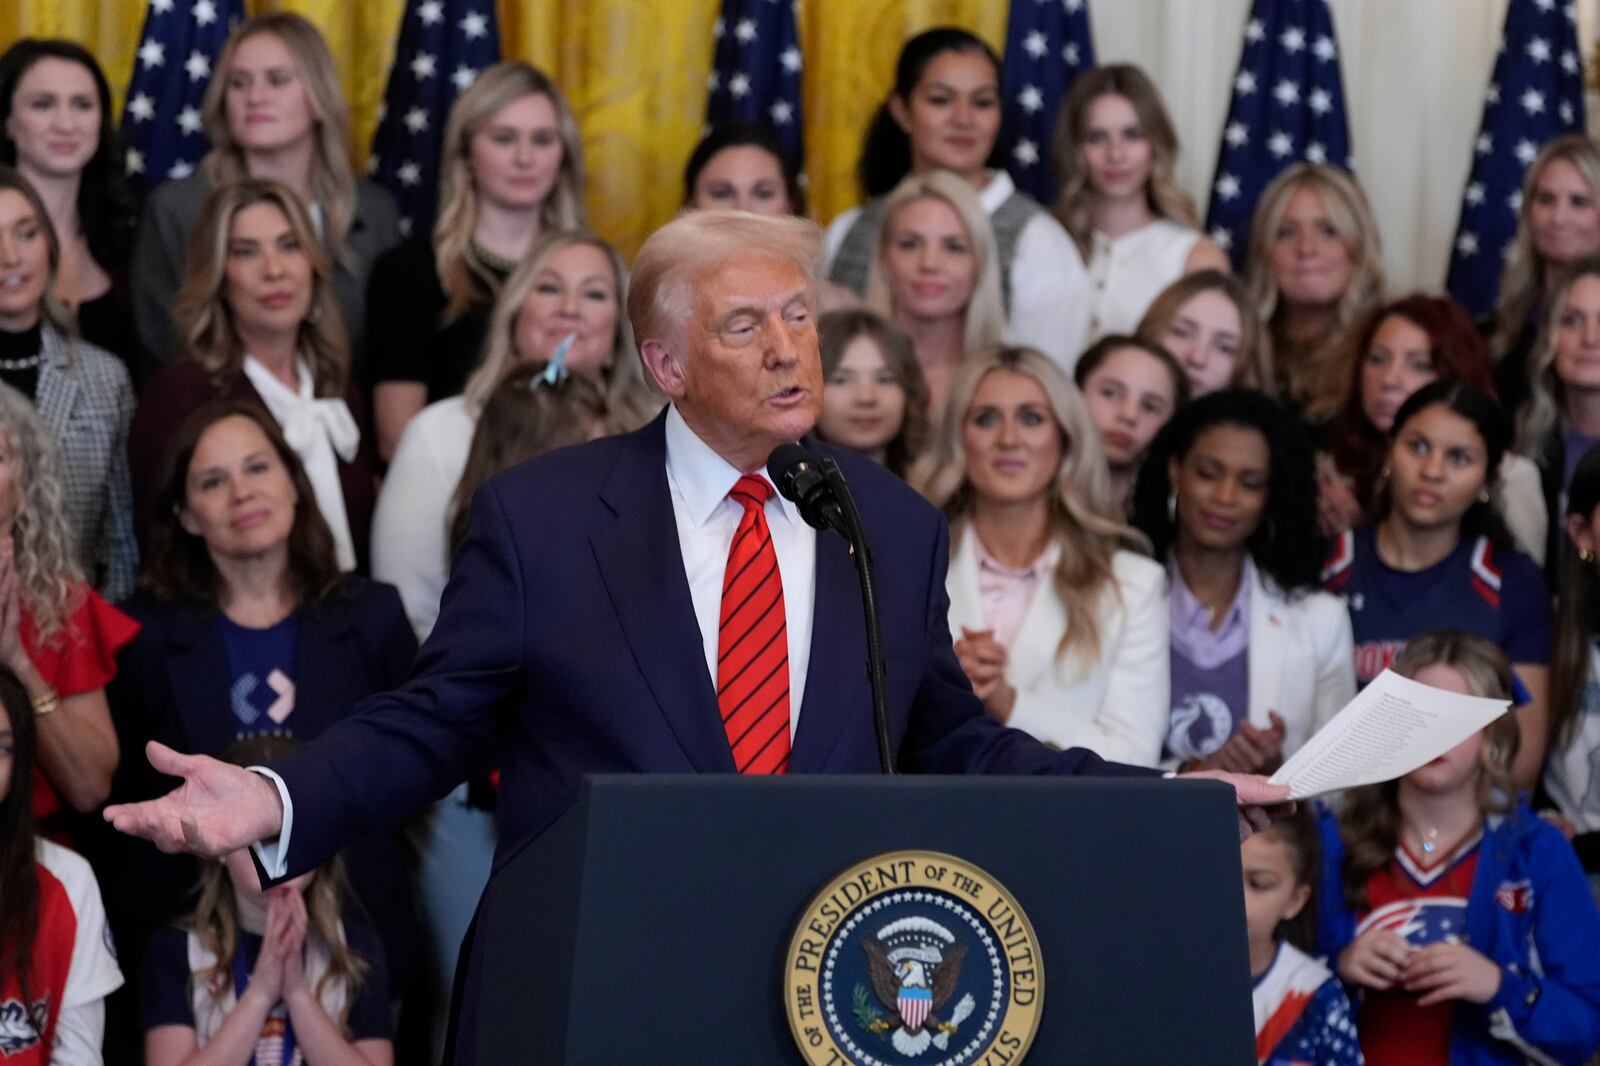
x: 1489, y: 591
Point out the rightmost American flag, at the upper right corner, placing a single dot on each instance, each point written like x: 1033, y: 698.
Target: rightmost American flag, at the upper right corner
x: 1535, y: 94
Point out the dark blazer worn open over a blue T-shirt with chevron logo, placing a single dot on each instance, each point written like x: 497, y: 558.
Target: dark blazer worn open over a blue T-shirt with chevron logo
x: 174, y: 686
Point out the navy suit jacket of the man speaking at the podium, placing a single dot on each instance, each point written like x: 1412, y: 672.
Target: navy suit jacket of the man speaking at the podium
x: 567, y: 644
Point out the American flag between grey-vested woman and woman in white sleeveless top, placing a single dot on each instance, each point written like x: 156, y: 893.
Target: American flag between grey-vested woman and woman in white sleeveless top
x: 1047, y: 47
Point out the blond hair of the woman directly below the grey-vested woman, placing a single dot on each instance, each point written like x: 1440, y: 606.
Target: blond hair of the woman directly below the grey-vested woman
x: 985, y: 323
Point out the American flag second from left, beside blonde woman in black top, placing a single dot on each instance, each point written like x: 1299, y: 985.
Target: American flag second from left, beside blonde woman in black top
x: 442, y: 47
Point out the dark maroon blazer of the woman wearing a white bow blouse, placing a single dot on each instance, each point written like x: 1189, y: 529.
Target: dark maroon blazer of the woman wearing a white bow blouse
x: 183, y: 390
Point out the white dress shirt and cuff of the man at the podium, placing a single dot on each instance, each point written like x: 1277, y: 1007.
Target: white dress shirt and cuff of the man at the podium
x: 700, y: 483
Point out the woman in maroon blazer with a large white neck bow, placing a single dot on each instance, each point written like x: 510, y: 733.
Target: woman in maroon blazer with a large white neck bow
x: 262, y: 326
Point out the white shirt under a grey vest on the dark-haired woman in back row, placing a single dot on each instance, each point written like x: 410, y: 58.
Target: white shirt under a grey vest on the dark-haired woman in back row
x: 1050, y: 287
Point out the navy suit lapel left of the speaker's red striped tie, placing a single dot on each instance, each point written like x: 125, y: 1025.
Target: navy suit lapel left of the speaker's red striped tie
x: 642, y: 567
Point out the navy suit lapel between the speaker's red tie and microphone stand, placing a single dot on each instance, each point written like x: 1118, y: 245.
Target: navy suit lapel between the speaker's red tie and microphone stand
x: 836, y: 675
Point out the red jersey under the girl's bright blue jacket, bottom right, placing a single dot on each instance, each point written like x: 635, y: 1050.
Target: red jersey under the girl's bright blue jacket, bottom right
x: 1426, y: 905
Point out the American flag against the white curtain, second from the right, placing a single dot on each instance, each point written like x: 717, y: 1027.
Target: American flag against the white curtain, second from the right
x: 1289, y: 106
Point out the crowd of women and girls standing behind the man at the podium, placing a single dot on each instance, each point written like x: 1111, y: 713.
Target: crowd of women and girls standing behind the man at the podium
x: 1191, y: 515
